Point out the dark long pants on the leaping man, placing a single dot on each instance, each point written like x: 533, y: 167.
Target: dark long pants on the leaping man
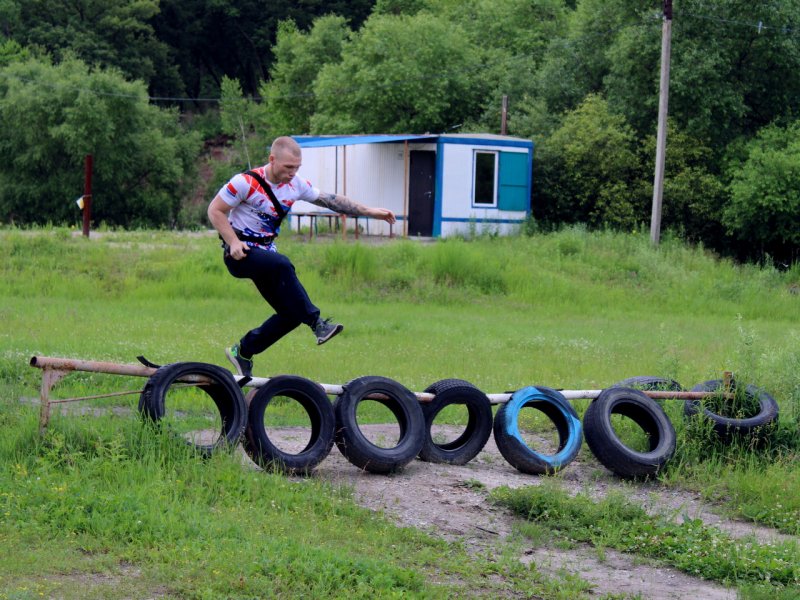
x: 275, y: 278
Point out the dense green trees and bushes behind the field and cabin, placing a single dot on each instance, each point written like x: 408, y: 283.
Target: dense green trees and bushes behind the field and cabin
x: 581, y: 78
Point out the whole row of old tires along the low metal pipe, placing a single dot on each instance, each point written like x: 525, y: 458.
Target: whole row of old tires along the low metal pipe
x: 337, y: 423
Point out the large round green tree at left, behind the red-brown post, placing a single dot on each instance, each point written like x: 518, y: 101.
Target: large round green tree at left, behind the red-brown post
x: 53, y: 115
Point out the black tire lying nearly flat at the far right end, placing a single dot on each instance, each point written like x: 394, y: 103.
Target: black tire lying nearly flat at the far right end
x: 727, y: 428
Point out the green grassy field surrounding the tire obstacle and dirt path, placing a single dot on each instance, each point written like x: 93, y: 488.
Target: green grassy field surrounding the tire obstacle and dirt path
x: 103, y: 507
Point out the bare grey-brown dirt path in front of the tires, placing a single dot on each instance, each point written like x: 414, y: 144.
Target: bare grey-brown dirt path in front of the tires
x: 451, y: 502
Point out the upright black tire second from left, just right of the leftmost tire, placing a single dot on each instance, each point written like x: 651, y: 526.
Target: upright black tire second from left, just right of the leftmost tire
x: 318, y: 407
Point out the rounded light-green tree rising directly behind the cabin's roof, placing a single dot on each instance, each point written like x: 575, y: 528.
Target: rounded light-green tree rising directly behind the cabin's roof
x: 407, y: 74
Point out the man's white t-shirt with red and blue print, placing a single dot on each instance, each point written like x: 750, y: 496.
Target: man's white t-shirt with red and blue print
x: 253, y: 212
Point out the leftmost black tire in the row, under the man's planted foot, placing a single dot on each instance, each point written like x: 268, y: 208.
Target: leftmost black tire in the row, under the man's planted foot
x: 224, y: 391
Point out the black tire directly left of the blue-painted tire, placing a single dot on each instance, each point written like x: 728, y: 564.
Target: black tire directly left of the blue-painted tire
x: 479, y: 422
